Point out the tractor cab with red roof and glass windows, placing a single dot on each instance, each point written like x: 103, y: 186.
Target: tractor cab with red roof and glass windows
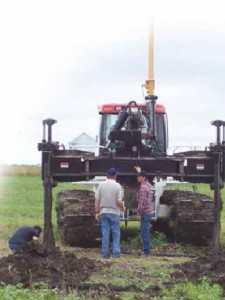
x: 126, y: 130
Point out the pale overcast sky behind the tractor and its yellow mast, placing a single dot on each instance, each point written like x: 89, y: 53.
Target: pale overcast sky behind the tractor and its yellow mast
x: 61, y: 59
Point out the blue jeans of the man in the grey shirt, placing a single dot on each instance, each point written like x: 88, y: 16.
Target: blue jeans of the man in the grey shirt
x: 110, y: 224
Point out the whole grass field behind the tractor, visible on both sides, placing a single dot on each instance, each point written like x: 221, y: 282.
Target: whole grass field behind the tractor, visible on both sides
x: 21, y: 198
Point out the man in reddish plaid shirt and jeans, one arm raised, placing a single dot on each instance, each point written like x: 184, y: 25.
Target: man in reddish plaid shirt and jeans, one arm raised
x: 144, y: 209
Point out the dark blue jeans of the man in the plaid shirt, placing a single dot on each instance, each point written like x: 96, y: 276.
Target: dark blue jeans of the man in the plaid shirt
x: 145, y: 233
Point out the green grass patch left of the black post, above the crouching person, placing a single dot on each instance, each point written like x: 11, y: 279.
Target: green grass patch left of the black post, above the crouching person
x: 20, y: 202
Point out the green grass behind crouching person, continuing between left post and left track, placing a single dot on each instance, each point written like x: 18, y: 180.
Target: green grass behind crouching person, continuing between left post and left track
x: 21, y: 202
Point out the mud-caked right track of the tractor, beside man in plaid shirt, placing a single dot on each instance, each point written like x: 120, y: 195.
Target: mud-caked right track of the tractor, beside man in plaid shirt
x: 191, y: 216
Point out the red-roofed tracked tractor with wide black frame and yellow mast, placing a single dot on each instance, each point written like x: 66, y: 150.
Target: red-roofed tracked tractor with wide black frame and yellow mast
x: 130, y: 135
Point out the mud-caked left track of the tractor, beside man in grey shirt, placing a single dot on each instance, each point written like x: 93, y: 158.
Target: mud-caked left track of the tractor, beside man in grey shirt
x: 76, y: 222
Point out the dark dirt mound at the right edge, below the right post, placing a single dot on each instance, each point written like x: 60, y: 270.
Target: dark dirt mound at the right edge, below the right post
x: 208, y: 266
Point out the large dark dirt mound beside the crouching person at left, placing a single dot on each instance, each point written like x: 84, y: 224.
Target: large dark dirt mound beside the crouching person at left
x: 37, y: 264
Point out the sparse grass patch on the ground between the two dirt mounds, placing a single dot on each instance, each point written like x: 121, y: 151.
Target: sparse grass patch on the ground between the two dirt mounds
x: 138, y: 272
